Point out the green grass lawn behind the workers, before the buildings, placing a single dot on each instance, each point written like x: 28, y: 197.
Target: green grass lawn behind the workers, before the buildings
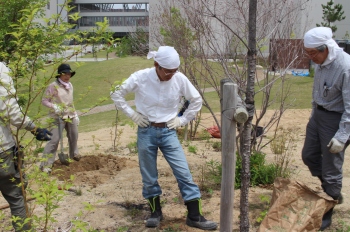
x: 93, y: 80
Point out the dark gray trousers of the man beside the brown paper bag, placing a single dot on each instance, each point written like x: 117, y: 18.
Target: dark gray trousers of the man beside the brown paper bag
x: 315, y: 154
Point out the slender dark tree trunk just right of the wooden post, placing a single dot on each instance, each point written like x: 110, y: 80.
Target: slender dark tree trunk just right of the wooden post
x: 246, y: 138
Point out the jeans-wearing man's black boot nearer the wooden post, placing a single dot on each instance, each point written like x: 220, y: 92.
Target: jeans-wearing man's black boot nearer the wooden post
x: 195, y: 217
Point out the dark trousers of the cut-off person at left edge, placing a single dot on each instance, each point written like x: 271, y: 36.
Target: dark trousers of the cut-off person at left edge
x: 9, y: 189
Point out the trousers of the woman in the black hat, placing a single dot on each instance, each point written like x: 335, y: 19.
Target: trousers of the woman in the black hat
x: 51, y: 147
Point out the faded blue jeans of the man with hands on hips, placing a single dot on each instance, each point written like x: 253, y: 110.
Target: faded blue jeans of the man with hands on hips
x: 149, y: 139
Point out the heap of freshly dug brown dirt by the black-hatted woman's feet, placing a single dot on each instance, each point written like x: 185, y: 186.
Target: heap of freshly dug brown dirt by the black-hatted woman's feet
x: 92, y: 170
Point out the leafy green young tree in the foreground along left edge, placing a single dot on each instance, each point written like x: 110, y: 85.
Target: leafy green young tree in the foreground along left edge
x: 26, y: 39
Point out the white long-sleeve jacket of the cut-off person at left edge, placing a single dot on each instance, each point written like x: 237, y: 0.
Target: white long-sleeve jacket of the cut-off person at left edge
x: 10, y: 111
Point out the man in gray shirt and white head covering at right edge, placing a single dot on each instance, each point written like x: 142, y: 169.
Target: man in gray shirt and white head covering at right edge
x: 328, y: 130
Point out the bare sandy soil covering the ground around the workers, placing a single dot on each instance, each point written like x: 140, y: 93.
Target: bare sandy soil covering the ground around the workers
x: 111, y: 182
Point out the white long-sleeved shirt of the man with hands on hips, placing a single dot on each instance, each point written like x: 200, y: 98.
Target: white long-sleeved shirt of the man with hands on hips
x: 158, y: 100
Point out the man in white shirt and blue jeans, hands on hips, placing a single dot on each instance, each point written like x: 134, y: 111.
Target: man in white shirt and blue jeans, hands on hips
x: 158, y: 92
